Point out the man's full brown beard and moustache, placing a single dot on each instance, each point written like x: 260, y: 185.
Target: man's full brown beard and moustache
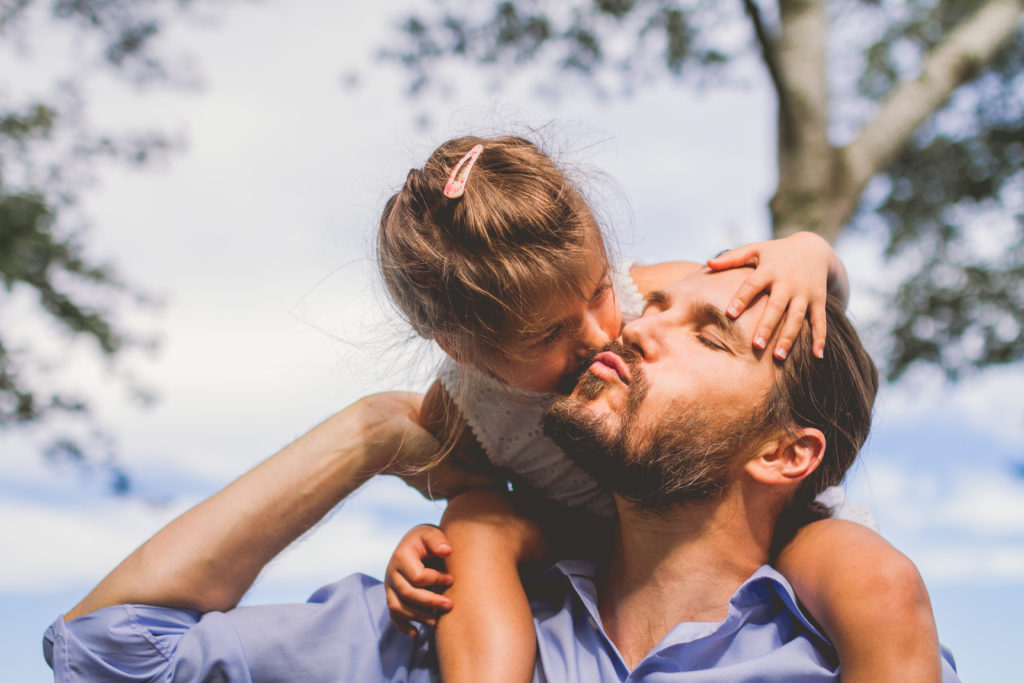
x: 686, y: 457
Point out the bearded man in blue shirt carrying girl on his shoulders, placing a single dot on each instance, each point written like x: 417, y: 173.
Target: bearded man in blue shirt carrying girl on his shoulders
x: 686, y: 596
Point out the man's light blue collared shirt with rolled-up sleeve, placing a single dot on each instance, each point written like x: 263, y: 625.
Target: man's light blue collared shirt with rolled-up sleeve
x: 344, y: 633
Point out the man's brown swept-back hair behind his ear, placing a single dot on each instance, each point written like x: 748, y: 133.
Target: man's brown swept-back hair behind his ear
x: 835, y: 395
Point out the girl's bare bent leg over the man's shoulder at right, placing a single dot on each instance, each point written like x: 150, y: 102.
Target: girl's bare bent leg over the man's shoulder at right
x: 869, y: 597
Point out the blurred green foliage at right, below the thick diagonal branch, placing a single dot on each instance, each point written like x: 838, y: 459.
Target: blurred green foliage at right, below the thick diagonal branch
x: 955, y: 208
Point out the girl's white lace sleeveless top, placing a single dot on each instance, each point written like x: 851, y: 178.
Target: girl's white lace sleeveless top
x: 506, y: 421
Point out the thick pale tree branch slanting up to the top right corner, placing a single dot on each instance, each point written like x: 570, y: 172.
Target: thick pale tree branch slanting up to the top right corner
x: 951, y: 64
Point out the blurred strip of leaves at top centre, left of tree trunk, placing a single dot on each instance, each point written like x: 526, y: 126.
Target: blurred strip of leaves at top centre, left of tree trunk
x: 578, y: 38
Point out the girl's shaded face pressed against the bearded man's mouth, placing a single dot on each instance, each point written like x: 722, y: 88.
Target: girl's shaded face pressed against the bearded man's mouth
x: 569, y: 331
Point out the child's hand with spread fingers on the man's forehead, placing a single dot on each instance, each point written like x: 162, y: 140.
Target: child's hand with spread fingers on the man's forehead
x: 796, y: 272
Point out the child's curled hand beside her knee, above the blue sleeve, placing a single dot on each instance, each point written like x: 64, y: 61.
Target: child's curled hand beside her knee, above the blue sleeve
x: 408, y: 580
